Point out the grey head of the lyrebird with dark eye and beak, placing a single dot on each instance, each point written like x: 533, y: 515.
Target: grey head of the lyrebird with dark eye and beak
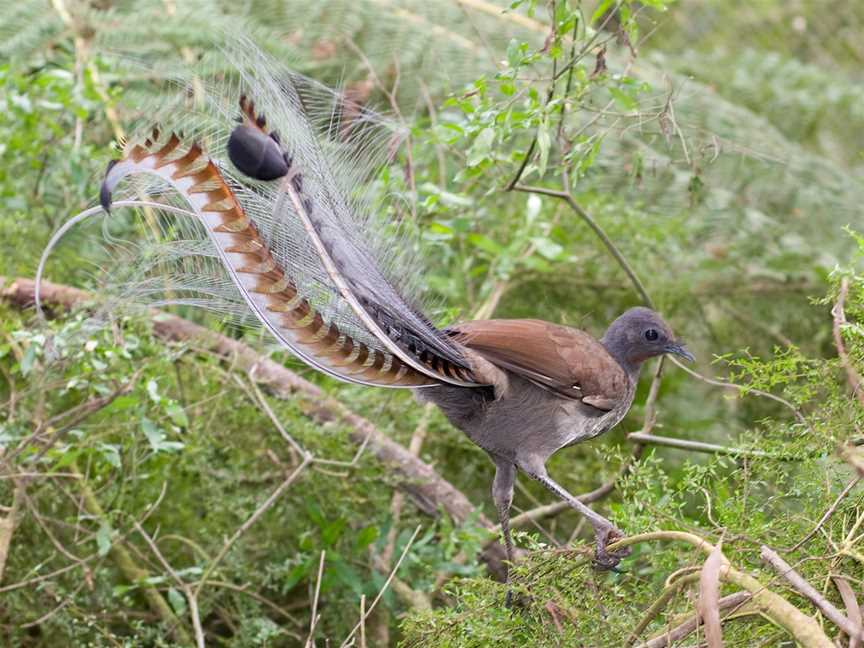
x: 639, y: 334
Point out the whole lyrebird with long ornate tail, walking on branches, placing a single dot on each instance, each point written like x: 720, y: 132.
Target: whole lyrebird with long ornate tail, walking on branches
x: 288, y: 240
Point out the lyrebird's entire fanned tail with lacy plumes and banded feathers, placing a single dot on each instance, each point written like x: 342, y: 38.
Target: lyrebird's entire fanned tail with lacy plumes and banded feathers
x: 305, y: 252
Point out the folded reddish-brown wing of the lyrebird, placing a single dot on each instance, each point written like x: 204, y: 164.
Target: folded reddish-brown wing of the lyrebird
x: 567, y: 361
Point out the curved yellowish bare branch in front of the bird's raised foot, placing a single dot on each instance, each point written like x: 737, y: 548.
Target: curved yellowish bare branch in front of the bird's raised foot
x: 806, y: 630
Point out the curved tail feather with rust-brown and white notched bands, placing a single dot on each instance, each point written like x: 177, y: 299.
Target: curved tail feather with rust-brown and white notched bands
x: 268, y: 291
